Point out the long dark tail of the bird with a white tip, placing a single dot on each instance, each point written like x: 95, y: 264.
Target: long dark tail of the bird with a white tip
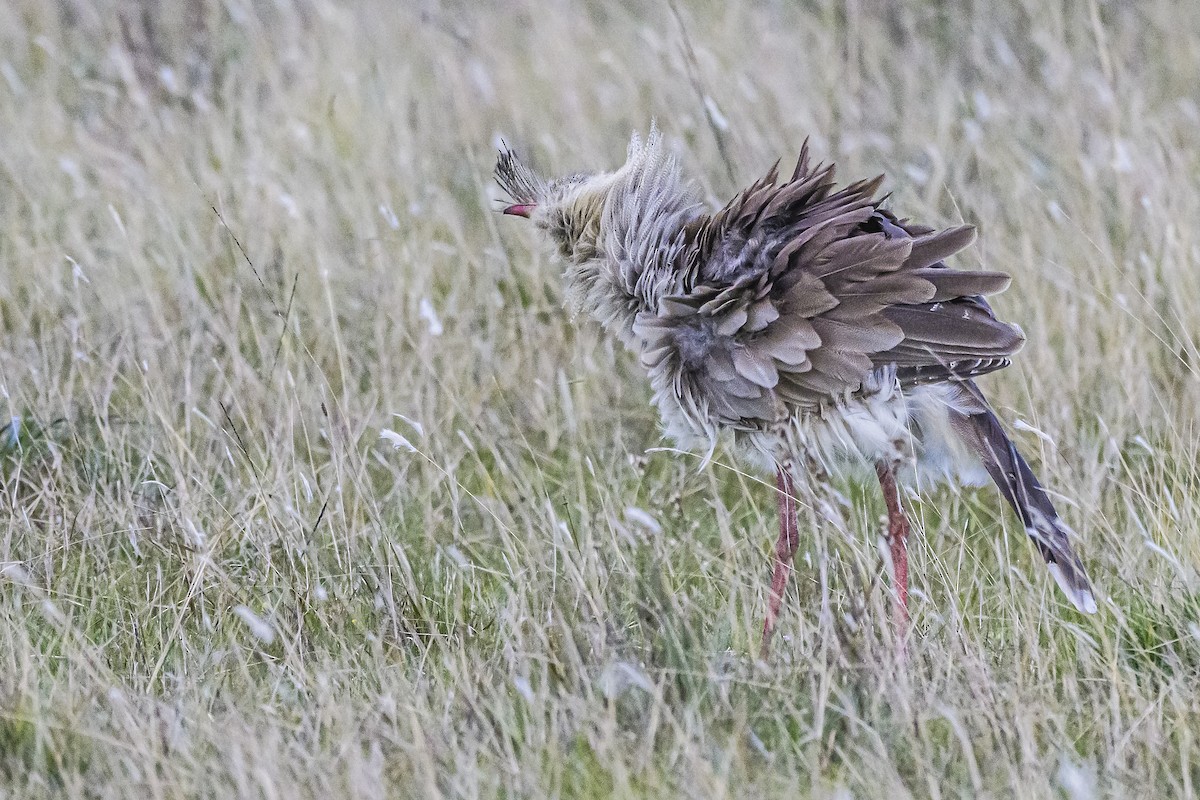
x: 982, y: 432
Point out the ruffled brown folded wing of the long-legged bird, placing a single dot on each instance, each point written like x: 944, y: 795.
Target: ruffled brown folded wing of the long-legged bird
x: 795, y: 292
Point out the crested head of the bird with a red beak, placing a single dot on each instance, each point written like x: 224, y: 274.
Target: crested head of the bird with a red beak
x: 568, y: 209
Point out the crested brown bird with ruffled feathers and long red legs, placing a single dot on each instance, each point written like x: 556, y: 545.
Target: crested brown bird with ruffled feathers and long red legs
x: 807, y: 324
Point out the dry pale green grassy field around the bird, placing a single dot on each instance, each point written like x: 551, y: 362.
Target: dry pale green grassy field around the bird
x: 242, y: 240
